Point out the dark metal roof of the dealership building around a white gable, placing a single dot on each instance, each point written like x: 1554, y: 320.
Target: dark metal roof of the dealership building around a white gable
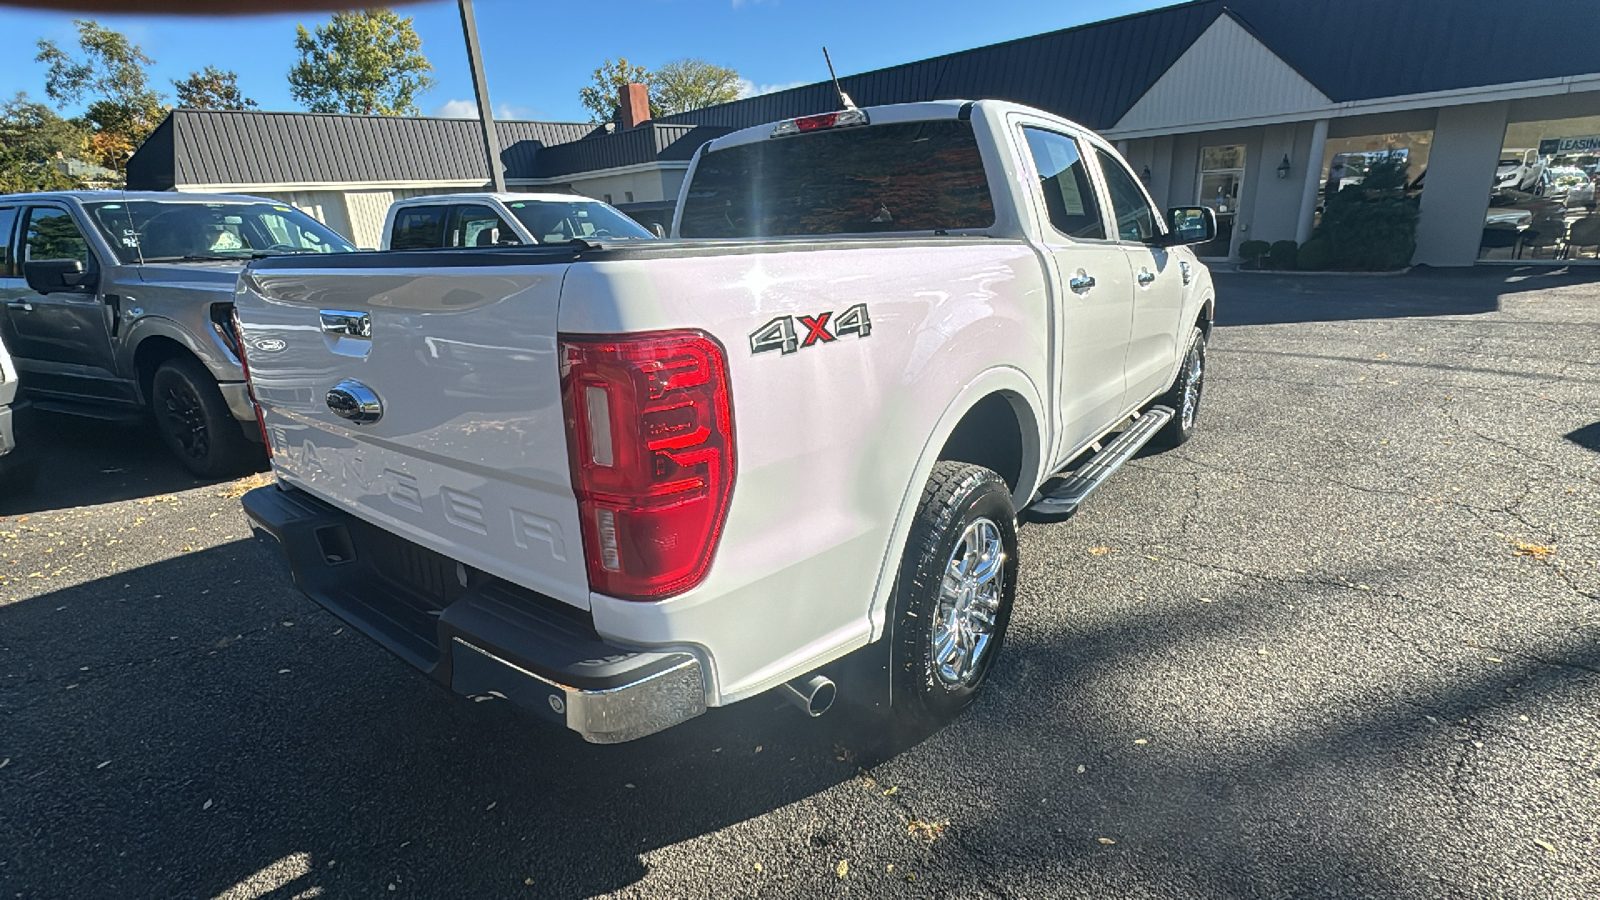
x: 1348, y: 49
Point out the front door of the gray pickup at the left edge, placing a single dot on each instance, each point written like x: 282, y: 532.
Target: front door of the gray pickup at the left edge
x: 62, y: 340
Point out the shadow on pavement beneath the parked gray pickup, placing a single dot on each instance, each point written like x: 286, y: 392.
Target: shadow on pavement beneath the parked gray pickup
x: 86, y: 462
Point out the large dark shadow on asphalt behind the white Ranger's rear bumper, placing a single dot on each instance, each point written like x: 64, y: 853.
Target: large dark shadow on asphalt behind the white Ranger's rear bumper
x: 242, y: 728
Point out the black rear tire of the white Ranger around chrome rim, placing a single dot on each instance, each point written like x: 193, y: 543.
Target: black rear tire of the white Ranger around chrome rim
x: 961, y: 499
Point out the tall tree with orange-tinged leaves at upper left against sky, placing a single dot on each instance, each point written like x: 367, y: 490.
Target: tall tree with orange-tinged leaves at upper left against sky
x: 111, y: 74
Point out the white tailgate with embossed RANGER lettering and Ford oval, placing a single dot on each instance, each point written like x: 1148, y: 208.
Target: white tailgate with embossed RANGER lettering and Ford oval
x: 470, y: 454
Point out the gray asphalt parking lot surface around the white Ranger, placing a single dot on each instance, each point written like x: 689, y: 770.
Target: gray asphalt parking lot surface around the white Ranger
x: 1345, y: 643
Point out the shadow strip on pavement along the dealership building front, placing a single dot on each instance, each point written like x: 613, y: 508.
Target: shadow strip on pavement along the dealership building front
x: 1282, y: 299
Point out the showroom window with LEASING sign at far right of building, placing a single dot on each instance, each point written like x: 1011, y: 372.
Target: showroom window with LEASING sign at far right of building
x: 1542, y: 203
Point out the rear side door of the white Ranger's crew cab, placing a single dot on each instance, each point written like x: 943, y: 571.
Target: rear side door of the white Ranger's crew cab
x: 1094, y: 292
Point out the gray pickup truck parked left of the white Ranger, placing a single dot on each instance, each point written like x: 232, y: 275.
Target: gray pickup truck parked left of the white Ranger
x: 121, y: 303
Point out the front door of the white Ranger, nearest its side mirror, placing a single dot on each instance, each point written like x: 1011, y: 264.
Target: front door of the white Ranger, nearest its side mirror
x: 1159, y: 283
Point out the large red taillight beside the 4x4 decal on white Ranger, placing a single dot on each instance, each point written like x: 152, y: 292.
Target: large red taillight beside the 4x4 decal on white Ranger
x: 650, y: 440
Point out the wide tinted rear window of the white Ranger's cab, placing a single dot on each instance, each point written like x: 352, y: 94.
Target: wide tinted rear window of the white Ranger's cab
x: 876, y: 179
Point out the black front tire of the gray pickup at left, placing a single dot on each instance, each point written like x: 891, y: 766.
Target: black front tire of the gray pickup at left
x: 196, y: 424
